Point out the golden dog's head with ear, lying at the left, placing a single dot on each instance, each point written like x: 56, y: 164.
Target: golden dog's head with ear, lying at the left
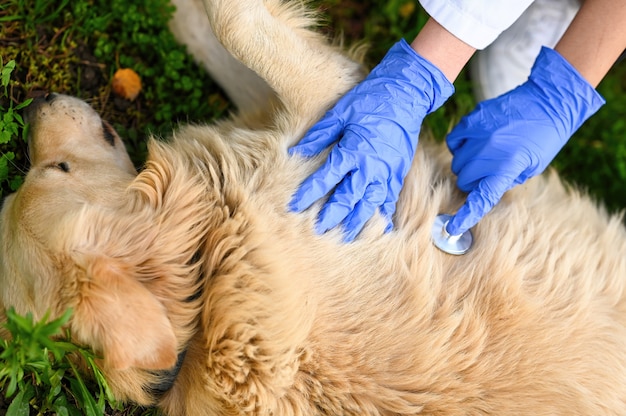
x: 51, y: 255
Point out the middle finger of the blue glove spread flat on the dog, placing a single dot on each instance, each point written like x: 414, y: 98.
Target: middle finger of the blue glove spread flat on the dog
x: 343, y: 201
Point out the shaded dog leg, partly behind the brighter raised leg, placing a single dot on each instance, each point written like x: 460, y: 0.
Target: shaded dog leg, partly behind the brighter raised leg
x: 191, y: 27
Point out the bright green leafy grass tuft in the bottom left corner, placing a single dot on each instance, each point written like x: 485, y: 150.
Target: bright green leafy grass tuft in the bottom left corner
x: 38, y: 373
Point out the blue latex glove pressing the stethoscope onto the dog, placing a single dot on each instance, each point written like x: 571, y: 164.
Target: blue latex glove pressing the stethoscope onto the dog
x: 511, y: 138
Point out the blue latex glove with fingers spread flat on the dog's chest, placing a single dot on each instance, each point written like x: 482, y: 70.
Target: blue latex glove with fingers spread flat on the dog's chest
x: 375, y: 127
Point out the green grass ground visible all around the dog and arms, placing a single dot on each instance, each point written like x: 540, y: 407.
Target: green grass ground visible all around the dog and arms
x: 74, y: 47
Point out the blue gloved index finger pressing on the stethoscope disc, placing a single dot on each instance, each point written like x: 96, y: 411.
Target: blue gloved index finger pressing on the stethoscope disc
x: 478, y: 203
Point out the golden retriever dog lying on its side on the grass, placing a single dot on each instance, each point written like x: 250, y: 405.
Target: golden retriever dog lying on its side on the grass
x: 204, y: 296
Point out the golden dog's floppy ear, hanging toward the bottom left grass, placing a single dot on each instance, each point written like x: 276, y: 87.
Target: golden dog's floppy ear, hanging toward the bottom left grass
x: 120, y: 317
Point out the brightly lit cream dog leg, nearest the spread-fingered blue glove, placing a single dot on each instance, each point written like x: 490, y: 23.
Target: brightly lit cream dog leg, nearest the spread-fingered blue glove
x: 273, y: 39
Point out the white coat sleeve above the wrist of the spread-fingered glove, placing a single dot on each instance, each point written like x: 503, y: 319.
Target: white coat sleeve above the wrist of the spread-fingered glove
x: 475, y: 22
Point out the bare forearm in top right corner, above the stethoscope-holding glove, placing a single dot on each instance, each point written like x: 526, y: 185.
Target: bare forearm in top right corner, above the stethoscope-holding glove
x: 595, y: 38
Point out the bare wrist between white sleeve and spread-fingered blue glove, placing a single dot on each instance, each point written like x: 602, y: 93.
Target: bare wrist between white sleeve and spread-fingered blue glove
x: 442, y: 49
